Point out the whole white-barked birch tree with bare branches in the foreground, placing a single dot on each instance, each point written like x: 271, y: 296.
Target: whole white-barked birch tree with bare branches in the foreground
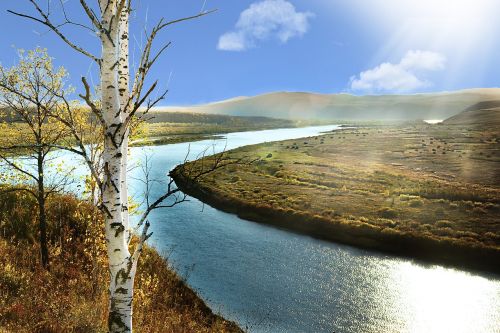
x: 121, y: 97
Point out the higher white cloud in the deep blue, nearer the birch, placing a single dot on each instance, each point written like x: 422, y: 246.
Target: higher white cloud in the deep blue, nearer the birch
x: 265, y: 20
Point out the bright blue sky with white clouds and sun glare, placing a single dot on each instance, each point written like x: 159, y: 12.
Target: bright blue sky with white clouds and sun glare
x: 250, y: 47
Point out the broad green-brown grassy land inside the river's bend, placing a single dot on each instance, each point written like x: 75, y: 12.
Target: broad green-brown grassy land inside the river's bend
x: 425, y: 191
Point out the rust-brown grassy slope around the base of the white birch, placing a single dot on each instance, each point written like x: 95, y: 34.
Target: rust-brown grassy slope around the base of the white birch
x: 72, y: 297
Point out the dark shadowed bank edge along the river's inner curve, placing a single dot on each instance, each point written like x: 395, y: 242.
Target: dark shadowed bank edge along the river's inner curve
x: 443, y: 252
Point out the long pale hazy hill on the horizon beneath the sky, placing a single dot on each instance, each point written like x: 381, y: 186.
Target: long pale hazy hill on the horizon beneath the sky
x: 300, y: 105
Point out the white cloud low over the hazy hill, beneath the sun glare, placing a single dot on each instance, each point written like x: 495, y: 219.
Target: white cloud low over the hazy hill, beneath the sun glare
x: 406, y: 76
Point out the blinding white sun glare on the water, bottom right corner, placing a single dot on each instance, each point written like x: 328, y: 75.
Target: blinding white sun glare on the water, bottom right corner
x: 445, y: 300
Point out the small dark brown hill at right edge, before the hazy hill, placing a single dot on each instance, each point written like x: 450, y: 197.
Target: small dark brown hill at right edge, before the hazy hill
x: 486, y: 113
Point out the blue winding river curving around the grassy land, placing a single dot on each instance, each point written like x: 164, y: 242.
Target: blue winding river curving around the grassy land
x: 272, y: 280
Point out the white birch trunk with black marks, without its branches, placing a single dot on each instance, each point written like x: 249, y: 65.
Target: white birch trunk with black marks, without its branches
x: 114, y: 194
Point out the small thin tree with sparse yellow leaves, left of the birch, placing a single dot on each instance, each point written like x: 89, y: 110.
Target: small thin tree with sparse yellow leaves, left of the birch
x: 28, y: 96
